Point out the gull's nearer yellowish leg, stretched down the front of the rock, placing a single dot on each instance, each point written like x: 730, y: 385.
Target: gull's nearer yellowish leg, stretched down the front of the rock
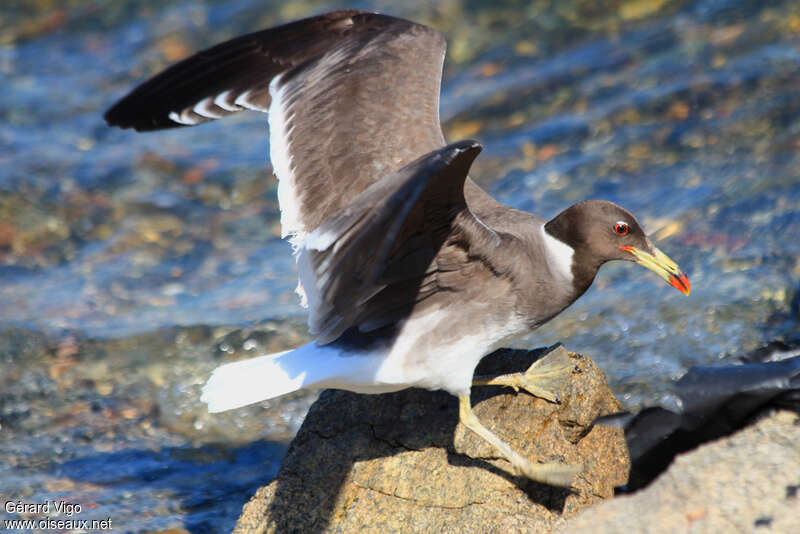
x: 555, y: 474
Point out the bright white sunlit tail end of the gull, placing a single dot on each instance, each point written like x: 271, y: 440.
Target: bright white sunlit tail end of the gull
x: 238, y: 384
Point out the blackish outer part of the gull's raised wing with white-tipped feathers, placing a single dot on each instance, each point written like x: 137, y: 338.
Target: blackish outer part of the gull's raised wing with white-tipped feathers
x: 229, y: 77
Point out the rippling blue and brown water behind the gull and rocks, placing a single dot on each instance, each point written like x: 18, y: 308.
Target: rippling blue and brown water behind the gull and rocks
x: 131, y: 265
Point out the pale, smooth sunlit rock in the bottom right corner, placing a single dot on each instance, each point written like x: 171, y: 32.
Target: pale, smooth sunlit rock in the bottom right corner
x: 747, y: 482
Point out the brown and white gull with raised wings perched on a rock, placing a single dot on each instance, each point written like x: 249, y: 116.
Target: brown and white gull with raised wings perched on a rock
x: 411, y: 272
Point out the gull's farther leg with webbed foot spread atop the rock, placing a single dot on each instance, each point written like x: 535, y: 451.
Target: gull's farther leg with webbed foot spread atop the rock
x: 543, y: 379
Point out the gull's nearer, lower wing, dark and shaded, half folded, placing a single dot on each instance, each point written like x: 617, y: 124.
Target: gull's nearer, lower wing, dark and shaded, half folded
x: 406, y: 237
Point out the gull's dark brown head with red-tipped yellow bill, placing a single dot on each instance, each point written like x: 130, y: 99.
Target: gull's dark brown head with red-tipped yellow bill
x: 599, y: 231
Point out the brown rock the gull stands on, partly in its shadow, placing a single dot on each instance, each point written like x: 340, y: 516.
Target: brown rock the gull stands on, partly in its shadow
x: 399, y: 462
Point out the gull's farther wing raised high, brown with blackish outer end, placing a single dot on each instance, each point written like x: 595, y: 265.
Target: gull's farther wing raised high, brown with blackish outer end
x: 351, y: 97
